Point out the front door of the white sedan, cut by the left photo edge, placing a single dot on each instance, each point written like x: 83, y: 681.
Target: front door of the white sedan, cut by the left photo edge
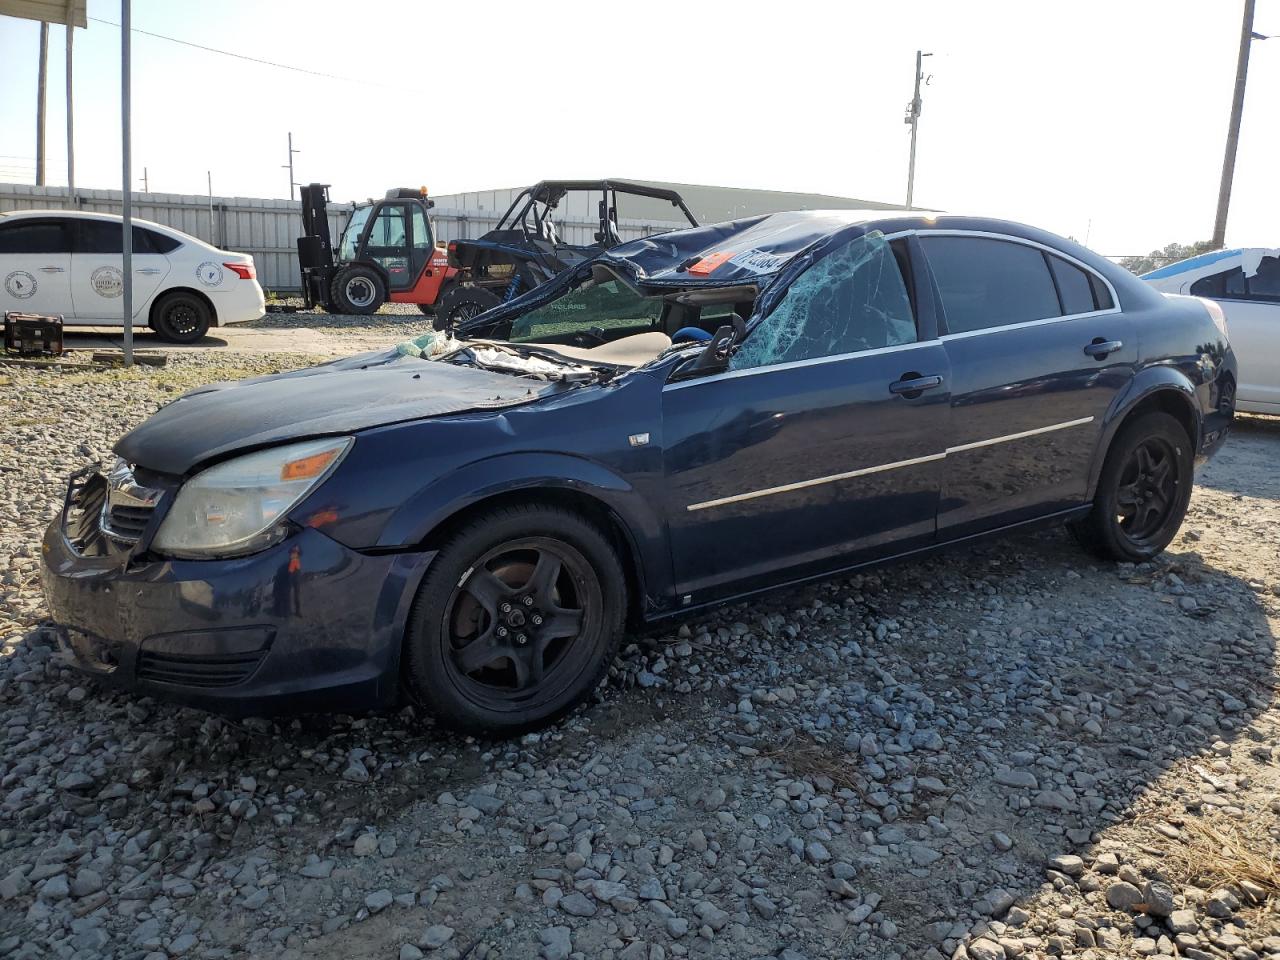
x: 35, y: 267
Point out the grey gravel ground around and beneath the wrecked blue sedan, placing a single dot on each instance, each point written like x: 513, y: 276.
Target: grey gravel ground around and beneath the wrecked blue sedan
x: 1008, y: 752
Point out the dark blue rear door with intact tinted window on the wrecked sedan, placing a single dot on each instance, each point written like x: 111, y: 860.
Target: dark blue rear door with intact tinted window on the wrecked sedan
x: 1039, y: 350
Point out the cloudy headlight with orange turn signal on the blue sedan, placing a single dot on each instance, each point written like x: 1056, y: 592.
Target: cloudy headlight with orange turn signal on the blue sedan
x: 239, y: 508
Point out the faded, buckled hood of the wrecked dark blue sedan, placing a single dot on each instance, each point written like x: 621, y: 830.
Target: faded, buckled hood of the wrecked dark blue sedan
x: 350, y: 395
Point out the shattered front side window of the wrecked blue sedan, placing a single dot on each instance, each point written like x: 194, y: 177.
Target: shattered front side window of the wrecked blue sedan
x: 852, y: 300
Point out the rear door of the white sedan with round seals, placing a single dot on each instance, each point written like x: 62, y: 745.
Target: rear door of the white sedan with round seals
x: 98, y: 269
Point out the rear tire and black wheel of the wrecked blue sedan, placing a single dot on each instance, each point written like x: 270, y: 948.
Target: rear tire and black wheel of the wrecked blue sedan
x: 1144, y: 491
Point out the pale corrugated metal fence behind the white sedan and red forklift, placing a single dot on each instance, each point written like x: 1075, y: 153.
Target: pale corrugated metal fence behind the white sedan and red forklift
x: 268, y: 230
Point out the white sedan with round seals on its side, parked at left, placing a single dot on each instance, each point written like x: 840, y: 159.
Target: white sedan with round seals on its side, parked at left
x: 70, y: 264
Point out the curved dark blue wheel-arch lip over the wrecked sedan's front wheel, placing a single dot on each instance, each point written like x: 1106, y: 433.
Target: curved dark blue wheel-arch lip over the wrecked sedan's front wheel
x: 433, y: 505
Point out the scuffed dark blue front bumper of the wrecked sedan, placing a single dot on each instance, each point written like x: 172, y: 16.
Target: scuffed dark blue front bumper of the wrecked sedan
x: 307, y: 625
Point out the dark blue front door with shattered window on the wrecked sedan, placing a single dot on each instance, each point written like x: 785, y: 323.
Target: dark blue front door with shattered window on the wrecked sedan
x: 821, y: 442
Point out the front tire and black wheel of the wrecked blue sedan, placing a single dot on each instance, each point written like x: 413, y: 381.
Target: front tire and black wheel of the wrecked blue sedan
x: 542, y: 656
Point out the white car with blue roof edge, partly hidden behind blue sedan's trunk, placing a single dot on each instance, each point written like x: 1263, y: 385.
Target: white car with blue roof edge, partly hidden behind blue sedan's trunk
x: 1246, y: 284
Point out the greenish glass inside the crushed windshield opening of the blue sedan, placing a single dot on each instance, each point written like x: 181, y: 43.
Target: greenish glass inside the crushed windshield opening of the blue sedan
x: 600, y: 310
